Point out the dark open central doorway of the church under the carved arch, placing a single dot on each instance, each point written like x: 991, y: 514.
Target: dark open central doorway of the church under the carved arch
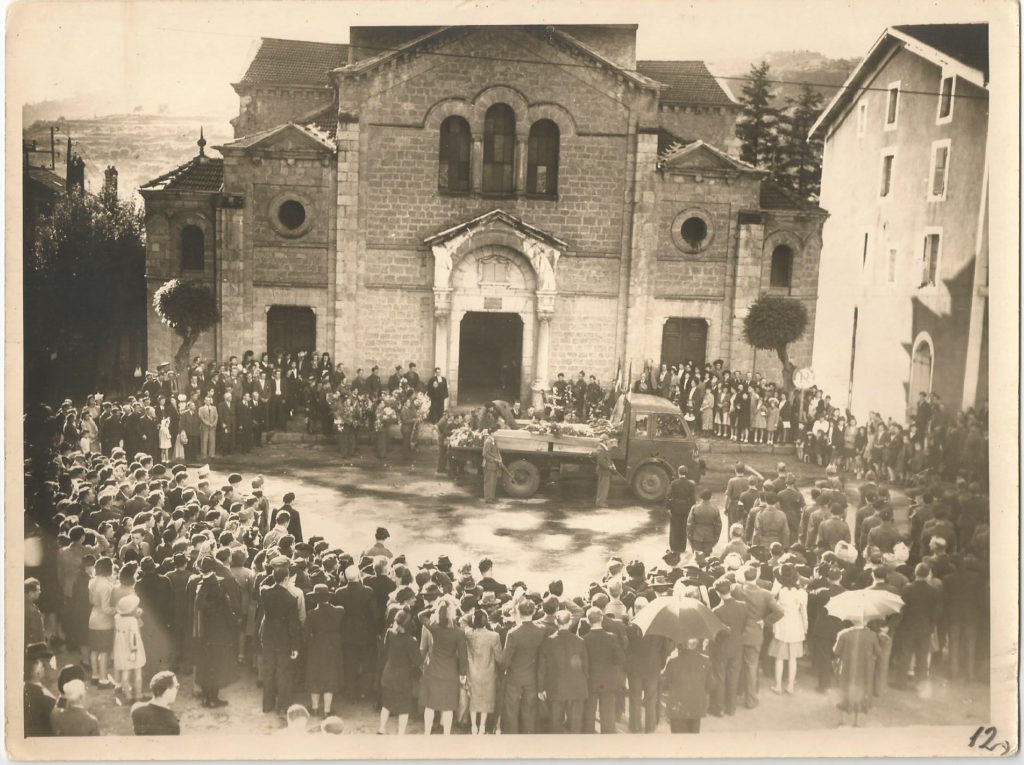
x: 490, y: 357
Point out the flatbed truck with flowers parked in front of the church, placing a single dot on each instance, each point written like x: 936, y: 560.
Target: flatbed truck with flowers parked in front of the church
x: 651, y: 441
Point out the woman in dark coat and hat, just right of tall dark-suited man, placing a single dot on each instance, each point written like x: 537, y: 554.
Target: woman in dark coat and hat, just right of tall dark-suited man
x: 325, y: 669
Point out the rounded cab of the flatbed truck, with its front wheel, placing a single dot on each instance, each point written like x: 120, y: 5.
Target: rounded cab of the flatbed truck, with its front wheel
x: 655, y: 442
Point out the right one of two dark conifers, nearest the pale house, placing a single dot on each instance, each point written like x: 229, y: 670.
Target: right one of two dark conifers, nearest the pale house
x: 799, y: 156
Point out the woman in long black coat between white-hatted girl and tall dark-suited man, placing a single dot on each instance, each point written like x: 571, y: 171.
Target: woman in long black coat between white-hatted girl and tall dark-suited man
x: 216, y: 622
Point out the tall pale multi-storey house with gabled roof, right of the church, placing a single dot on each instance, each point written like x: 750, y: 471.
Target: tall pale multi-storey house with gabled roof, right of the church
x: 903, y: 297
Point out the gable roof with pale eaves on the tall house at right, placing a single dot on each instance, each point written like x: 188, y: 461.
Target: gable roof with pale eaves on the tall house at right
x: 960, y: 49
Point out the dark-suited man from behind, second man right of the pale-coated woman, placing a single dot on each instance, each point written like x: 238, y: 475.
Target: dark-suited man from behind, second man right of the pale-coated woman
x: 562, y: 676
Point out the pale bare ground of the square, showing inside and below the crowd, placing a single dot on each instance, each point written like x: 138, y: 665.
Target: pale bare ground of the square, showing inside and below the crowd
x: 558, y: 535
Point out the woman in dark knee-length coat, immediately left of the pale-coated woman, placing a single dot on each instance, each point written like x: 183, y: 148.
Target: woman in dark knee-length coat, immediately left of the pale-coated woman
x: 447, y: 664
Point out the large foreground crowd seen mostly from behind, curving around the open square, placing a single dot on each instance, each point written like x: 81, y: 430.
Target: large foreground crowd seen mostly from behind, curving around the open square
x: 142, y: 574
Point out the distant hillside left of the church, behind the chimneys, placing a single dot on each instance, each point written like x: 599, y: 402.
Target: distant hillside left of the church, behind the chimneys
x: 141, y: 147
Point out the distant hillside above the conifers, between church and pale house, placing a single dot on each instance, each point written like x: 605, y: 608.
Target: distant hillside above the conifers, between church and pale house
x: 793, y: 68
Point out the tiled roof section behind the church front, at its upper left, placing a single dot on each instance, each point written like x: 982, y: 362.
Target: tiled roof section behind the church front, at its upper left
x: 295, y: 63
